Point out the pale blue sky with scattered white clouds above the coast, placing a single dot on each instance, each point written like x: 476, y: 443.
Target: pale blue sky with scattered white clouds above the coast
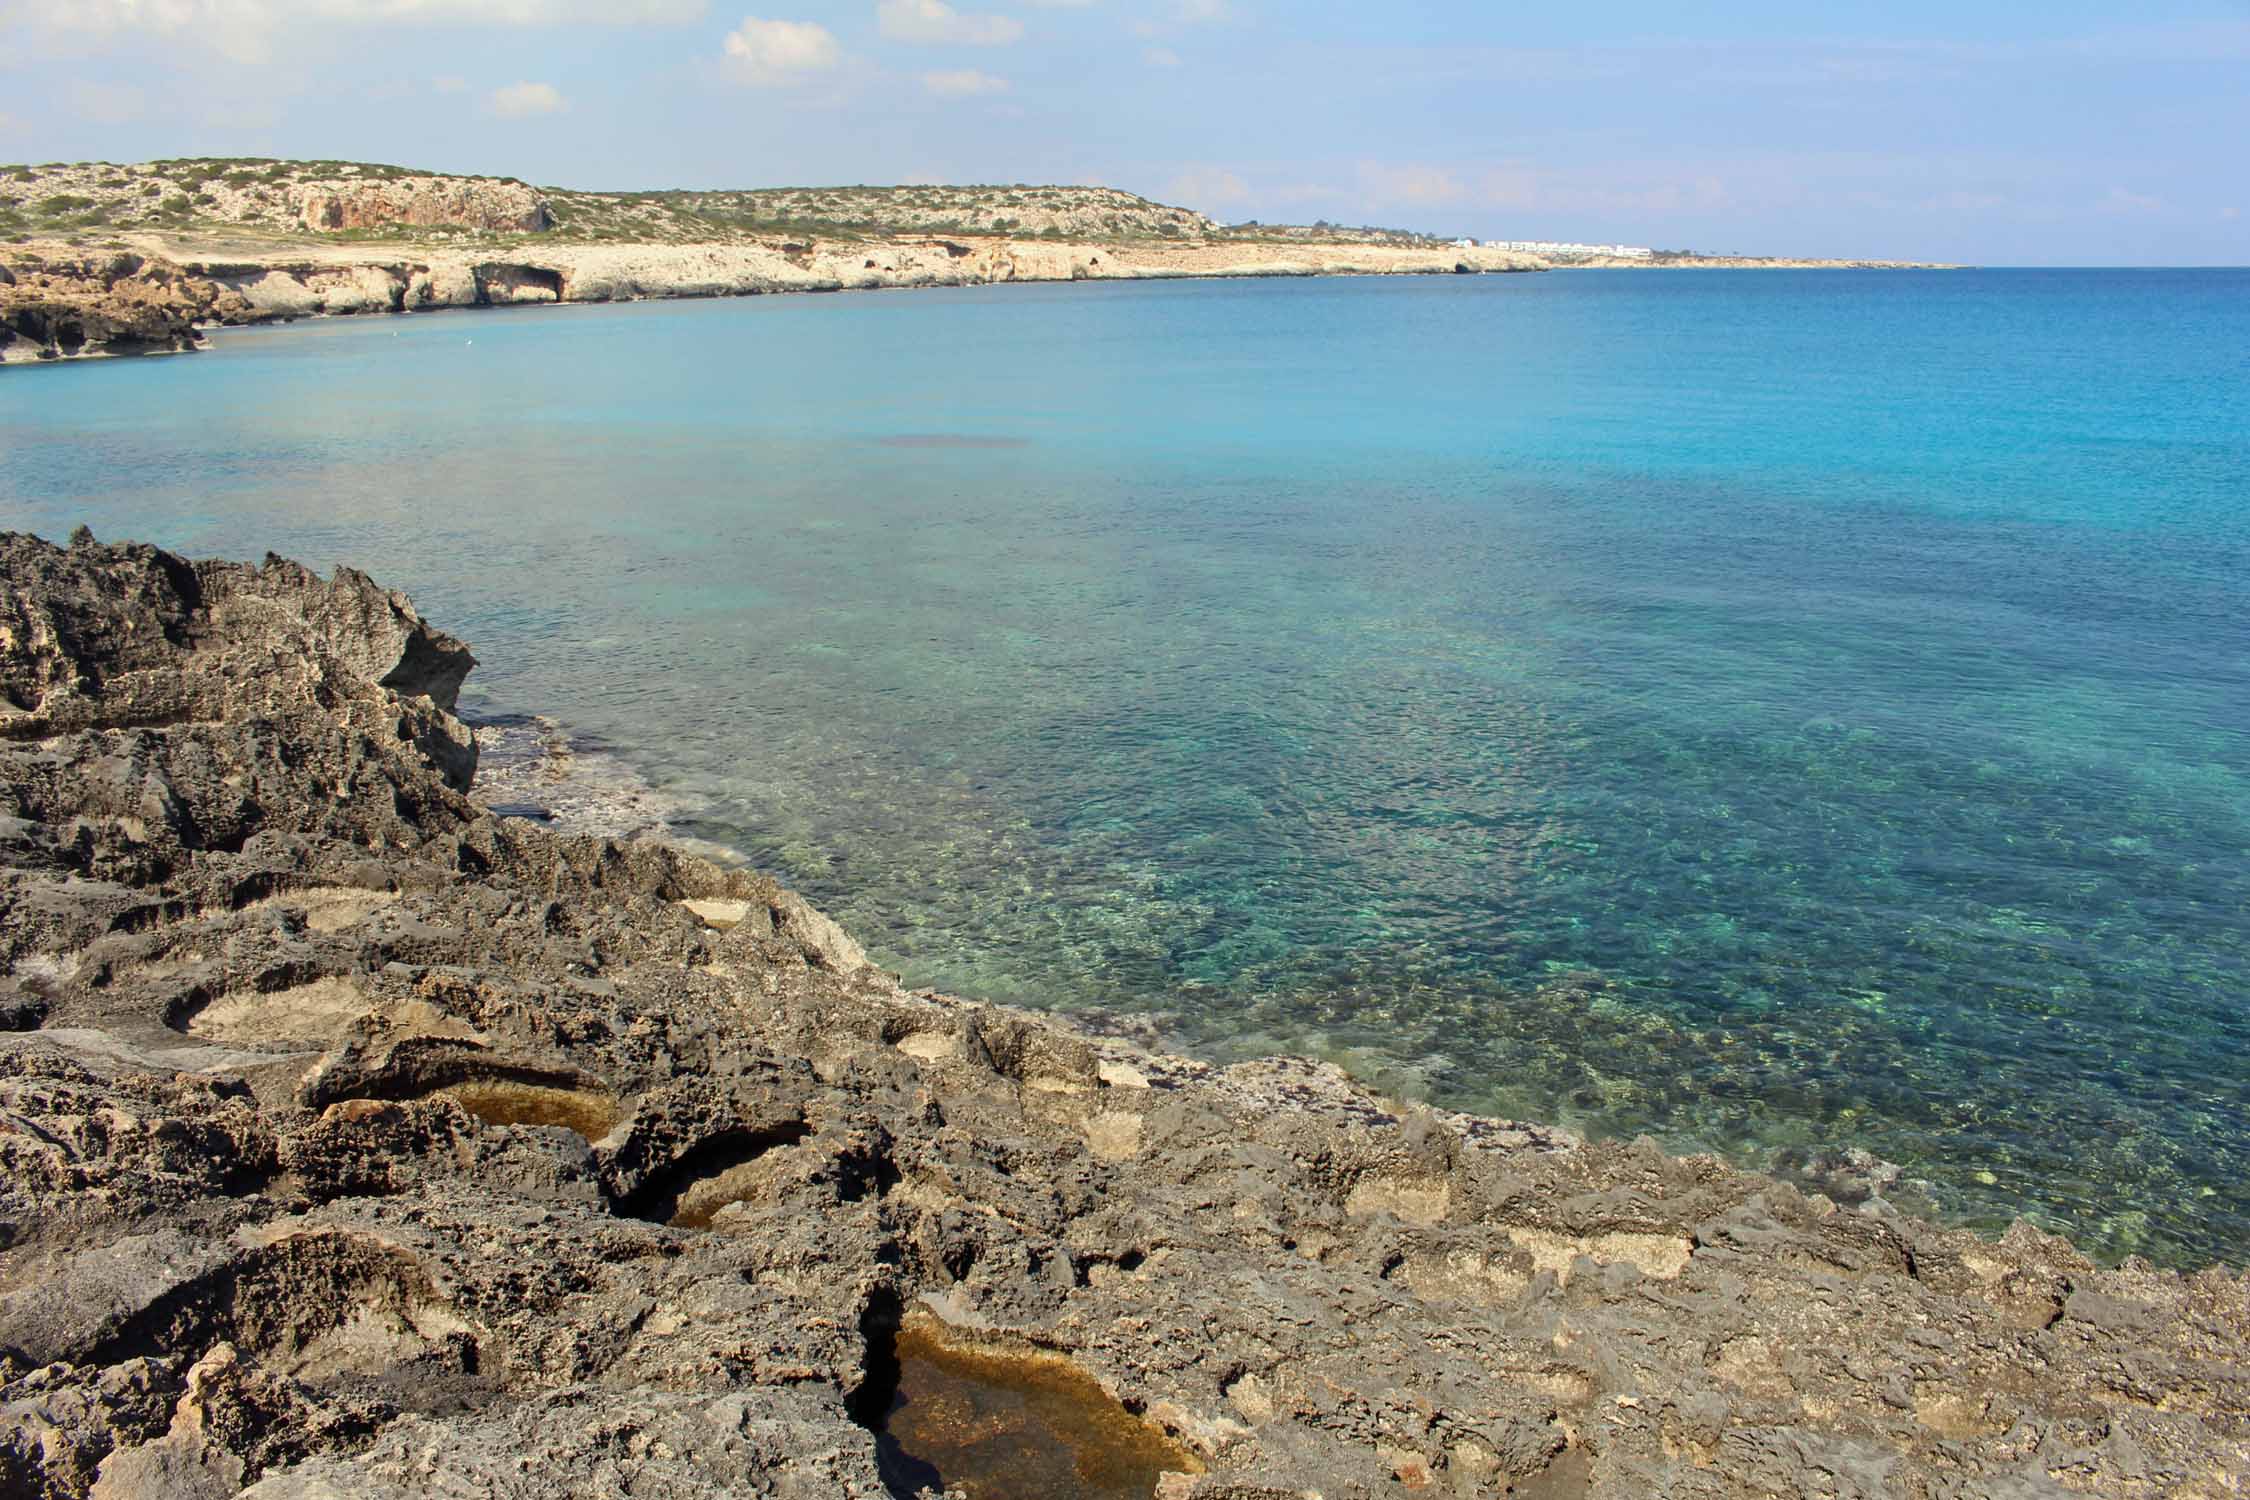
x: 1988, y: 132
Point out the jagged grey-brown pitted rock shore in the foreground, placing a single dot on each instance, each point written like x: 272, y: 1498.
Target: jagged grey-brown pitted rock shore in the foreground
x: 361, y: 1141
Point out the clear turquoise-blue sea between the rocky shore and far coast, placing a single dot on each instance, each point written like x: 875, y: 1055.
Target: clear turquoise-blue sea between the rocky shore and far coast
x: 1772, y: 712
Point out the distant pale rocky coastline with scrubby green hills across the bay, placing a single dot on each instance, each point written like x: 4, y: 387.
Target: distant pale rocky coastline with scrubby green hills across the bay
x: 107, y: 260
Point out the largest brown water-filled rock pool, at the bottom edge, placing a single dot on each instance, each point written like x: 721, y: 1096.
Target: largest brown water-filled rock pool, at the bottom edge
x: 1014, y: 1427
